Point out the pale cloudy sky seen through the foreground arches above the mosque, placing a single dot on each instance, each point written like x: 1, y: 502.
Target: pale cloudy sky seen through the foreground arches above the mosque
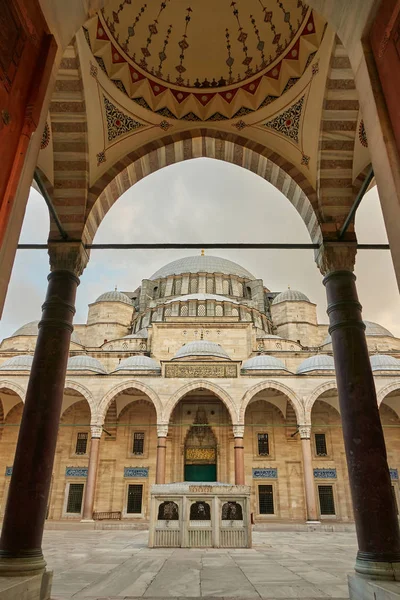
x: 202, y: 200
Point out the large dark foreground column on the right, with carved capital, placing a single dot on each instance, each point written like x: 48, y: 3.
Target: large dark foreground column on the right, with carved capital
x: 374, y: 510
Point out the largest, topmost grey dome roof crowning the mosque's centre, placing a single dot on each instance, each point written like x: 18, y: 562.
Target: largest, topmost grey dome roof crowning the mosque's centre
x: 202, y: 264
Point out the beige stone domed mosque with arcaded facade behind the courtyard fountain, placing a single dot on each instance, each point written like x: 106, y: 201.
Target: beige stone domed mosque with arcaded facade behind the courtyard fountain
x: 200, y: 374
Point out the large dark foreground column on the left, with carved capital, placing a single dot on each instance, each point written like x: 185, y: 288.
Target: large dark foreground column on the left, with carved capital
x: 21, y: 537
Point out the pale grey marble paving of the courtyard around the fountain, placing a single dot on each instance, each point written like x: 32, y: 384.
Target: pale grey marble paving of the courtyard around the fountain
x: 103, y: 565
